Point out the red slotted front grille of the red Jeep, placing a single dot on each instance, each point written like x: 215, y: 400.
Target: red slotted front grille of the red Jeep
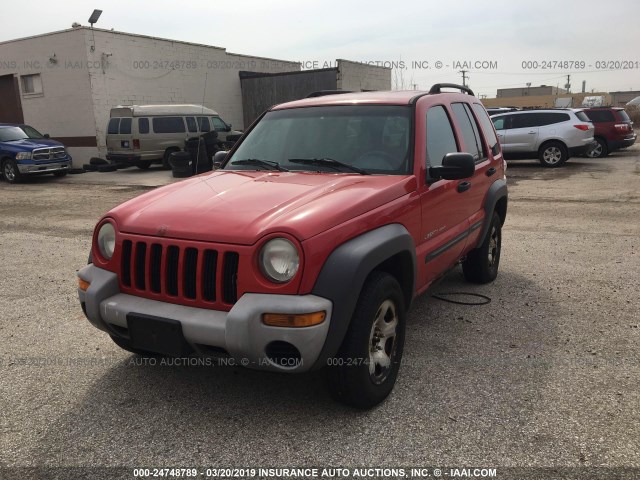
x: 184, y: 273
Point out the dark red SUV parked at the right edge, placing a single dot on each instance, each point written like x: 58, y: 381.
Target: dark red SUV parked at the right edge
x: 613, y: 130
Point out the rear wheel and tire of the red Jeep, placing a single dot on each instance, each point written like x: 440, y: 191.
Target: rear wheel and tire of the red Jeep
x: 481, y: 264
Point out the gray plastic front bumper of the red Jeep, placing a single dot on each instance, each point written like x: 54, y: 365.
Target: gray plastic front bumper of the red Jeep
x: 239, y: 332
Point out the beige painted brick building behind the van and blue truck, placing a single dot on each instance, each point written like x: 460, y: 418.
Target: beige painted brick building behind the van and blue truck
x: 64, y: 83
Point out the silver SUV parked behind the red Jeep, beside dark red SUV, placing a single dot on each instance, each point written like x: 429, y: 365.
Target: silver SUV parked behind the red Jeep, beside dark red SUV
x: 552, y: 136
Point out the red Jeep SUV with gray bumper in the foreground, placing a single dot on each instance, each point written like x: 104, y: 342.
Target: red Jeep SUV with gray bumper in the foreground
x: 301, y: 253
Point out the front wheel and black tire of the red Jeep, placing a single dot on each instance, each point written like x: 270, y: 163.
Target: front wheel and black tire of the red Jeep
x: 357, y: 375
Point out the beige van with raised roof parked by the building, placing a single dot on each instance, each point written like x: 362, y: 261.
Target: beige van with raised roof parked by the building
x: 143, y: 134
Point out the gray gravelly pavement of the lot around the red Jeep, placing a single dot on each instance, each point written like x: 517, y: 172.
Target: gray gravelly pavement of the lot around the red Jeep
x: 546, y: 375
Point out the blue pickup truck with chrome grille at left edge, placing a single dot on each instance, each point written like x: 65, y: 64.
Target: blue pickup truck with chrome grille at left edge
x: 25, y: 151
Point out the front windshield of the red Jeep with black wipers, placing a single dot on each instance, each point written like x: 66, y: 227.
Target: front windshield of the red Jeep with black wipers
x: 369, y: 139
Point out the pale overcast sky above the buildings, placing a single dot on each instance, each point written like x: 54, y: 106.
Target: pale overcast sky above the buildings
x: 504, y: 33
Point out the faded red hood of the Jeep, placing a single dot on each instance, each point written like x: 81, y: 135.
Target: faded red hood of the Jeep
x: 240, y: 207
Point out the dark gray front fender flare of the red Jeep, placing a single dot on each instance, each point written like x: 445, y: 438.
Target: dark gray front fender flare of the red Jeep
x: 347, y: 268
